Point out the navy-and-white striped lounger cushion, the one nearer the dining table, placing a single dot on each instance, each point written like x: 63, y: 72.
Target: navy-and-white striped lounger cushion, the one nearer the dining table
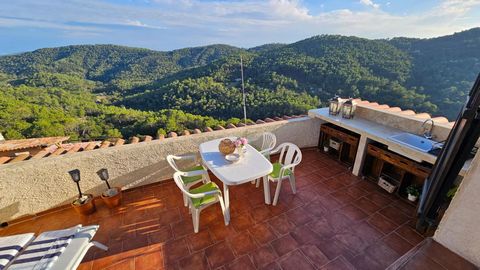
x: 45, y: 249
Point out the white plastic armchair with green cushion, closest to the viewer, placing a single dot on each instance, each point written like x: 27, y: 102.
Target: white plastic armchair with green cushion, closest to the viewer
x: 200, y: 198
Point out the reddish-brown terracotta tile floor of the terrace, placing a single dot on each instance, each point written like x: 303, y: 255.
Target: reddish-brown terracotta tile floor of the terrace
x: 335, y: 221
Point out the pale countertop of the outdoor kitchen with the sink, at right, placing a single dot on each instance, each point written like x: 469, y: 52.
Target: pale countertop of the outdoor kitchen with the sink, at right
x: 379, y: 133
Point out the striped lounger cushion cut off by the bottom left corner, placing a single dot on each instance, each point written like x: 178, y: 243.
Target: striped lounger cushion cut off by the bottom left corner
x: 10, y: 246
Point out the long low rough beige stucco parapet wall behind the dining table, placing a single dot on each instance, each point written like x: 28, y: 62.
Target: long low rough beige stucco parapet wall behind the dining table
x: 32, y: 186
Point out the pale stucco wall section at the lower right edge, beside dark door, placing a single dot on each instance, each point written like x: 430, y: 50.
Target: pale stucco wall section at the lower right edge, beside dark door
x: 459, y: 229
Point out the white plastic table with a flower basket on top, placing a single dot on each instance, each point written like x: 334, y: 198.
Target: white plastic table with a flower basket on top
x: 251, y: 166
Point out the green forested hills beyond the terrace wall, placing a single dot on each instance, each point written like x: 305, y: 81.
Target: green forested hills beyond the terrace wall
x: 101, y: 91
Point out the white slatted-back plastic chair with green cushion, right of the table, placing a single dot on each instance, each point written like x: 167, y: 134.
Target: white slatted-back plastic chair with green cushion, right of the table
x: 290, y: 156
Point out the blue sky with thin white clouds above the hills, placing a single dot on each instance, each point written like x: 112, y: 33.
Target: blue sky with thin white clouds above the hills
x: 170, y: 24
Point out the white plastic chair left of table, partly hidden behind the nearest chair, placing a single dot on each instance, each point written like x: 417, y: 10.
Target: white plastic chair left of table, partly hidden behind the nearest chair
x: 189, y: 181
